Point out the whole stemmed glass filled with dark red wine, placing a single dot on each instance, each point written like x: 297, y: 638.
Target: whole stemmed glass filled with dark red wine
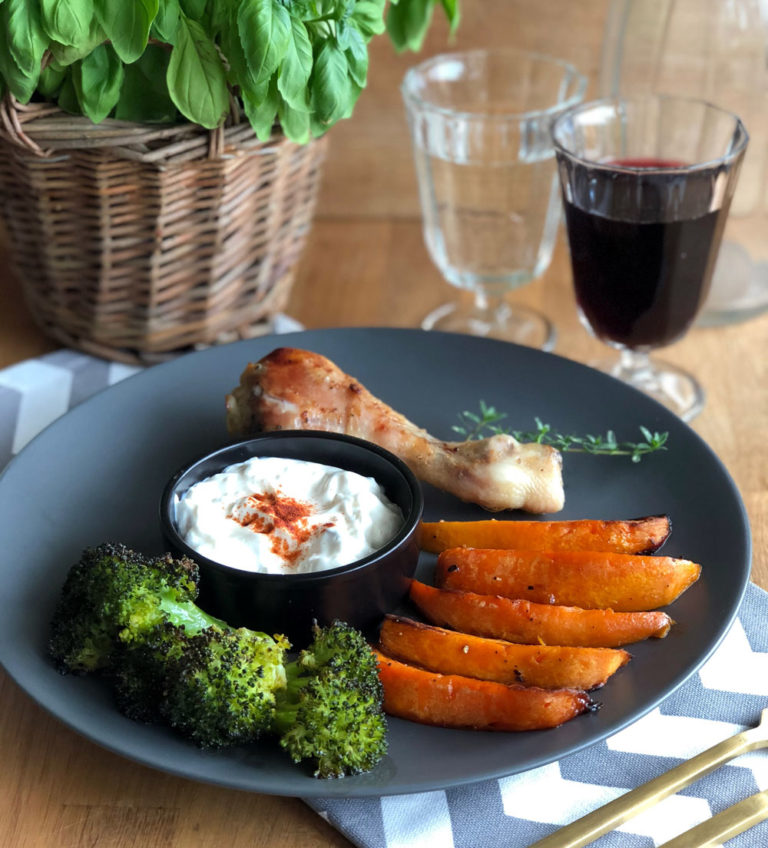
x: 647, y: 184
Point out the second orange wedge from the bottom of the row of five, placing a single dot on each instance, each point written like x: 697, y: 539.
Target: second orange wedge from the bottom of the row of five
x: 449, y: 652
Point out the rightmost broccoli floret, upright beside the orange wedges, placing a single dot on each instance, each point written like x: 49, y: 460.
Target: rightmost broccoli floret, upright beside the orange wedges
x: 330, y: 711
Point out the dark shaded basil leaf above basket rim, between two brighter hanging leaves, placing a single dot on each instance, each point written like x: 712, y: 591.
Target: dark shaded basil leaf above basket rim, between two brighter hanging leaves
x: 144, y: 97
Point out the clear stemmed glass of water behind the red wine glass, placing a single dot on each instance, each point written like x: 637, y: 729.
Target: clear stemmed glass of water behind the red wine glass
x: 480, y: 127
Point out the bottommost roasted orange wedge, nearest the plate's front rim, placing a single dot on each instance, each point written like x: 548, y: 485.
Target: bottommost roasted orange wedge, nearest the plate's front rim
x: 450, y: 700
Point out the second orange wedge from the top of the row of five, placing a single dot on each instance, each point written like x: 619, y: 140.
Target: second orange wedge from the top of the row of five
x: 589, y: 579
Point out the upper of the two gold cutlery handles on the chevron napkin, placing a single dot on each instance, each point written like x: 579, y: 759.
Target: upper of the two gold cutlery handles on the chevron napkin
x: 614, y: 813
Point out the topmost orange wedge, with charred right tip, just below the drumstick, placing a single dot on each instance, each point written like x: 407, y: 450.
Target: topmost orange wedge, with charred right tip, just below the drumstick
x: 635, y: 536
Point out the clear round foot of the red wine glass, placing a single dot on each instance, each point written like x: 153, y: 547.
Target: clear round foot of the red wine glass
x: 671, y: 386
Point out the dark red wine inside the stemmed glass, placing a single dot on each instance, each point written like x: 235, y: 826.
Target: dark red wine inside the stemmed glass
x: 640, y: 284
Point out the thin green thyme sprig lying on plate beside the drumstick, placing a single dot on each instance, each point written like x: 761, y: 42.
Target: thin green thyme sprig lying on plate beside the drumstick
x: 476, y: 425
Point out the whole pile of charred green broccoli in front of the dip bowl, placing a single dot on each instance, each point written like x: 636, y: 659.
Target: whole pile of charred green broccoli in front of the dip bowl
x: 134, y: 620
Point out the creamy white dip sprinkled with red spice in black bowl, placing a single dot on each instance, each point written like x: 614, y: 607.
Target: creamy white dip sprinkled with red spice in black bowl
x: 286, y: 516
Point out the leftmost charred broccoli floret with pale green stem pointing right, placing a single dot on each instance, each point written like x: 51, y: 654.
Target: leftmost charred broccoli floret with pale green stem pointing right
x: 112, y: 596
